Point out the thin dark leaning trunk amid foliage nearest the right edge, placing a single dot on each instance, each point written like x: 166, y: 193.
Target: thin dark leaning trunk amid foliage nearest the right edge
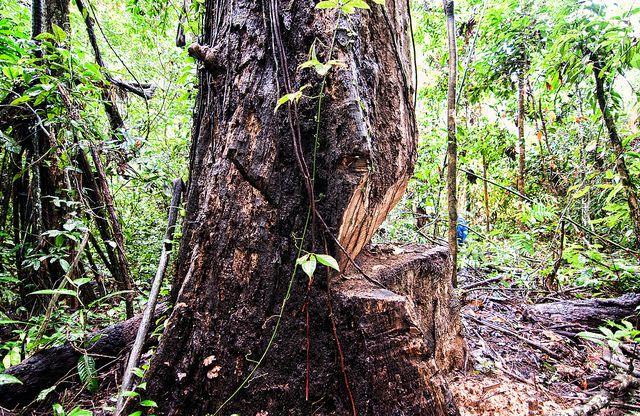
x: 618, y: 151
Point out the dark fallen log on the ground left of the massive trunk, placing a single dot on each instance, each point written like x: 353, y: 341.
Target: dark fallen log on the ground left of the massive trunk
x: 45, y: 368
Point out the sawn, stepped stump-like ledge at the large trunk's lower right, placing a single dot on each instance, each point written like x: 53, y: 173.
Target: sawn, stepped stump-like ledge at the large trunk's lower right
x: 400, y: 340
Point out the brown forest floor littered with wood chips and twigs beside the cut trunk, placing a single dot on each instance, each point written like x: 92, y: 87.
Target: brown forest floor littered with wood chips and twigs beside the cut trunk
x: 509, y: 370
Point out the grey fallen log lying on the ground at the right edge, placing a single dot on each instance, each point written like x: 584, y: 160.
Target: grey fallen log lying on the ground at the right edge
x: 587, y: 312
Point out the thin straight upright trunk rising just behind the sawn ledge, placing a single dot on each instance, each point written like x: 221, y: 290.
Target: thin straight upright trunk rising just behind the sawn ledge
x: 452, y: 144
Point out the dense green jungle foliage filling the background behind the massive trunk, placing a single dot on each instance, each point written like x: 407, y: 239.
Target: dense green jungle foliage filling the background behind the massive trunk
x: 566, y: 221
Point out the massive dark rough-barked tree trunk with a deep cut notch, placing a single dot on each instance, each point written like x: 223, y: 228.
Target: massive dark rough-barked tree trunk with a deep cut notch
x: 247, y: 207
